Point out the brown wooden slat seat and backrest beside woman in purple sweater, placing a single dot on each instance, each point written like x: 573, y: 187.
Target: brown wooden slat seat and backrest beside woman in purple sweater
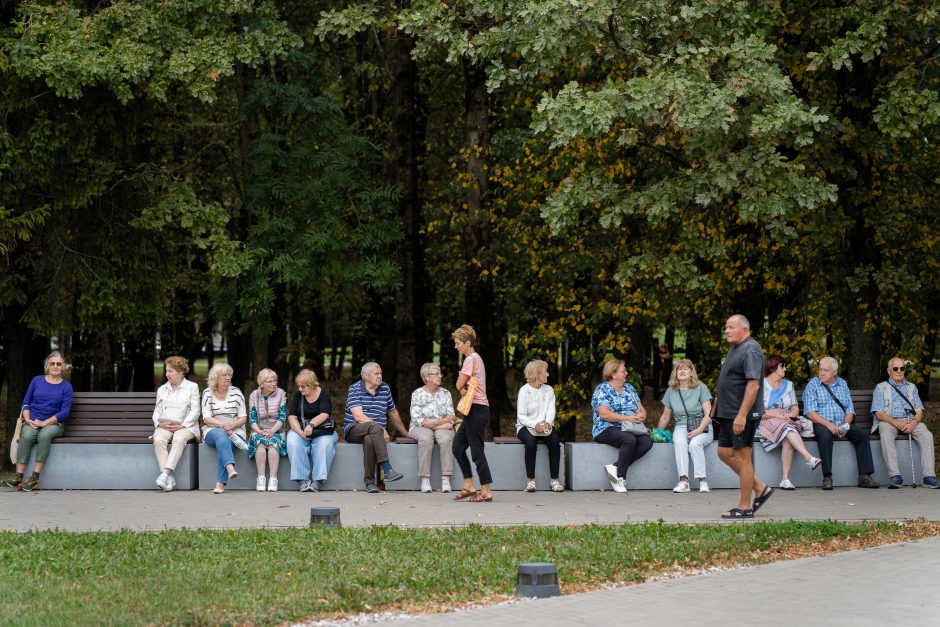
x: 110, y: 417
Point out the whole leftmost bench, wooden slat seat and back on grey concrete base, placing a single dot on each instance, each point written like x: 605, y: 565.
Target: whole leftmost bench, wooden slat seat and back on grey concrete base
x: 107, y: 446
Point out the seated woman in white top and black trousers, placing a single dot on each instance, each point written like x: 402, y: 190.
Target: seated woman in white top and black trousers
x: 535, y: 419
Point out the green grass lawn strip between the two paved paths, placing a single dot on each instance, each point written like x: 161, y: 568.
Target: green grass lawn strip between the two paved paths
x: 260, y: 576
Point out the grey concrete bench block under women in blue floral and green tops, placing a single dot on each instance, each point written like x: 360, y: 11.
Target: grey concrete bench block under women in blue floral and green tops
x: 654, y: 471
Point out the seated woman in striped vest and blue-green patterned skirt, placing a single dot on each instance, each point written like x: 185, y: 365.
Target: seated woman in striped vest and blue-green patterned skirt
x: 267, y: 414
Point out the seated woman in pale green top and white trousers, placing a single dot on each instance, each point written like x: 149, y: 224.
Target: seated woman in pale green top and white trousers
x: 689, y: 401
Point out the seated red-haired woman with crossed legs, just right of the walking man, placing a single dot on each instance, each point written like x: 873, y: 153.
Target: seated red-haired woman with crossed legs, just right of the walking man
x: 780, y: 425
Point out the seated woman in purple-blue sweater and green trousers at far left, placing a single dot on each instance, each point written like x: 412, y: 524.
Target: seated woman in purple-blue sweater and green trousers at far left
x: 45, y: 408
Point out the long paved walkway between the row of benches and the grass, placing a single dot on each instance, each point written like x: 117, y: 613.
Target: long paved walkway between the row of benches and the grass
x: 83, y: 510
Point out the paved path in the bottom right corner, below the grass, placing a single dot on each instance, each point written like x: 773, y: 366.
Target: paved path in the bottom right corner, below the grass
x: 832, y: 590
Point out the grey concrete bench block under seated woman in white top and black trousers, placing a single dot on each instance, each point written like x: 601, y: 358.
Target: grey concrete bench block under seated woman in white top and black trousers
x: 506, y: 461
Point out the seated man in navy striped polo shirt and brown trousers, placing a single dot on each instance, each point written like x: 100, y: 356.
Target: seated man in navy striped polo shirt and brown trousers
x: 369, y: 408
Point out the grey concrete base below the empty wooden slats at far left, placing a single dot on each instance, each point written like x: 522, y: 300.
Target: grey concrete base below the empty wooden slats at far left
x: 78, y: 466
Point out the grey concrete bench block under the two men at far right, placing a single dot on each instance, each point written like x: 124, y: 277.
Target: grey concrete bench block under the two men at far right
x: 844, y: 466
